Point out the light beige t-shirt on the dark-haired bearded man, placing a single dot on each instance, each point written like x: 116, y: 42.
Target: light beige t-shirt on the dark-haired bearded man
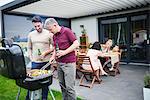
x: 41, y: 41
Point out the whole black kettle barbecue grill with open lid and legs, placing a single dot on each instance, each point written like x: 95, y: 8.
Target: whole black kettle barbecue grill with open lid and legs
x: 12, y: 65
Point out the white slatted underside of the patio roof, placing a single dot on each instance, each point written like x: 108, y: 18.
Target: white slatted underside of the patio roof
x: 78, y: 8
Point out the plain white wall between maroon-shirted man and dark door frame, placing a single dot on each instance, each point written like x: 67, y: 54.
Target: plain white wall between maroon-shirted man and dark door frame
x: 90, y: 24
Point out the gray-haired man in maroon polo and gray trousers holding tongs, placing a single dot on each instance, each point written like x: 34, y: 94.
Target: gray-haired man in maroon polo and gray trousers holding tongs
x: 67, y: 42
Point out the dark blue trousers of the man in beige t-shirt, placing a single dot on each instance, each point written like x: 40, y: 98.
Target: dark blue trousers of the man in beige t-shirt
x: 45, y: 89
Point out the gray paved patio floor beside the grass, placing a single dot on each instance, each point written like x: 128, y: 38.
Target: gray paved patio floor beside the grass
x: 126, y: 86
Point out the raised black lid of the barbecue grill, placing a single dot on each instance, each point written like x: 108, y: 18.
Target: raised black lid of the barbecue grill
x: 12, y: 63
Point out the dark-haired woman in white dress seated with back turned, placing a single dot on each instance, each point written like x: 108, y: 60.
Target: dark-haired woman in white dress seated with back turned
x: 94, y: 52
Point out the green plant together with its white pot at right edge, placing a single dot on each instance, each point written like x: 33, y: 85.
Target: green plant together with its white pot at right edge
x: 146, y: 89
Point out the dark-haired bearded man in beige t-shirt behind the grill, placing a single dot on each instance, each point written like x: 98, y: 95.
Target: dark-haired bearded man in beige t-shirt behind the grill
x: 39, y: 47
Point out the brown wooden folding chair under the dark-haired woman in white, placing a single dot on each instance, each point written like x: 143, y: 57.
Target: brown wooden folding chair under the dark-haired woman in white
x: 82, y: 59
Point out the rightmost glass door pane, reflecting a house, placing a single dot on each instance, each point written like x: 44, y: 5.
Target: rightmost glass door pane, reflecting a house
x: 138, y: 38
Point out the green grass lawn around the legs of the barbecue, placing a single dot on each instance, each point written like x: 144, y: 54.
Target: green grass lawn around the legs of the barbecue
x: 8, y: 90
